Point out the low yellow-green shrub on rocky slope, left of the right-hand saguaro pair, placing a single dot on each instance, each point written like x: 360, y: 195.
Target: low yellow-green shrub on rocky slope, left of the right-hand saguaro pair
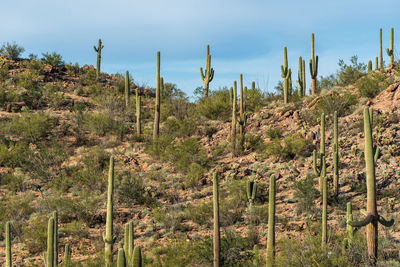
x: 288, y: 148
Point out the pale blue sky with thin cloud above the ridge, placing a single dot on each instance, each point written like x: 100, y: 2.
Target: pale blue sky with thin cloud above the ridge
x: 245, y: 36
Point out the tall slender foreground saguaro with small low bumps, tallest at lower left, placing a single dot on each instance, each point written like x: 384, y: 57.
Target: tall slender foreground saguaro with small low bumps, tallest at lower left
x: 108, y: 235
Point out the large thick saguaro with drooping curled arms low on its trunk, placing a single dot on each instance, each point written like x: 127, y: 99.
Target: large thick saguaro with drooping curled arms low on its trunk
x: 372, y: 217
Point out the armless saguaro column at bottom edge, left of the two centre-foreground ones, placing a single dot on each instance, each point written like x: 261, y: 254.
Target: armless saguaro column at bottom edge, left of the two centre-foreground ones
x: 216, y: 237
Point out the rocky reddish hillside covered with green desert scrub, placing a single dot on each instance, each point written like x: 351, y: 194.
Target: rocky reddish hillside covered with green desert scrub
x: 60, y: 125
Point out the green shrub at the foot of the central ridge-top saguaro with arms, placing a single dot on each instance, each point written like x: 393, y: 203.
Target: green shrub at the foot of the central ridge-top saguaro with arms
x: 217, y: 106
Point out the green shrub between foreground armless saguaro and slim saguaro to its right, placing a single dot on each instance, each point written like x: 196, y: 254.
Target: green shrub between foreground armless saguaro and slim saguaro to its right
x: 305, y: 194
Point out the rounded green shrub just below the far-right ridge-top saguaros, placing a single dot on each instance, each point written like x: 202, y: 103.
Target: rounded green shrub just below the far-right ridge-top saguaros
x: 371, y: 85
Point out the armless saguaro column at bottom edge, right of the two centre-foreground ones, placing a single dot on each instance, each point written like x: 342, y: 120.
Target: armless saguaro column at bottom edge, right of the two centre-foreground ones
x: 271, y: 223
